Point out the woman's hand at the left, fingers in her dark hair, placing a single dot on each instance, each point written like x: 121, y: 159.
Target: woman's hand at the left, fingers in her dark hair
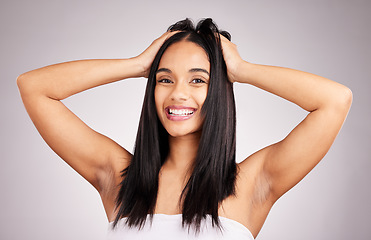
x: 146, y: 58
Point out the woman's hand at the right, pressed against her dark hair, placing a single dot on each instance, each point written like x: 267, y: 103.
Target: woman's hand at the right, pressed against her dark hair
x: 232, y: 58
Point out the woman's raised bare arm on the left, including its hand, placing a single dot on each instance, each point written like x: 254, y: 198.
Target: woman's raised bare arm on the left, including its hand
x: 91, y: 154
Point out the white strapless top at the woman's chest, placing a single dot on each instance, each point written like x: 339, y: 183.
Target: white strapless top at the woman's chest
x: 169, y: 227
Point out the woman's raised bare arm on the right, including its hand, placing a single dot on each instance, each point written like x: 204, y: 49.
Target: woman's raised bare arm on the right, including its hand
x: 285, y: 163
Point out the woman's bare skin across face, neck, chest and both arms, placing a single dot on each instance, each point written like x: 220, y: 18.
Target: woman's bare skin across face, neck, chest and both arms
x: 262, y: 177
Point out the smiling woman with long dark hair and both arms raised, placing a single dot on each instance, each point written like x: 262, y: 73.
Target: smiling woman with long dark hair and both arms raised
x: 182, y: 177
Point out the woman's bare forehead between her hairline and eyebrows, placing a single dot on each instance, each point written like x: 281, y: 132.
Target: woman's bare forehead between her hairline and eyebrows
x: 184, y: 55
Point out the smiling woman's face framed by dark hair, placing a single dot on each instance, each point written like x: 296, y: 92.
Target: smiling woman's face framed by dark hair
x: 182, y: 81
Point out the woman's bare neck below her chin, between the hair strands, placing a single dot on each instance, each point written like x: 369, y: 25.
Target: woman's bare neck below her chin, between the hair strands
x: 183, y: 151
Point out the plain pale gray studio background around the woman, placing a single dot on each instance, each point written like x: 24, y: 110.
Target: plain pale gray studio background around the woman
x: 43, y: 198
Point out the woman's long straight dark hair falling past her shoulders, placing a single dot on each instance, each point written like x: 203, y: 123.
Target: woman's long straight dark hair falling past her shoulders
x: 214, y: 169
